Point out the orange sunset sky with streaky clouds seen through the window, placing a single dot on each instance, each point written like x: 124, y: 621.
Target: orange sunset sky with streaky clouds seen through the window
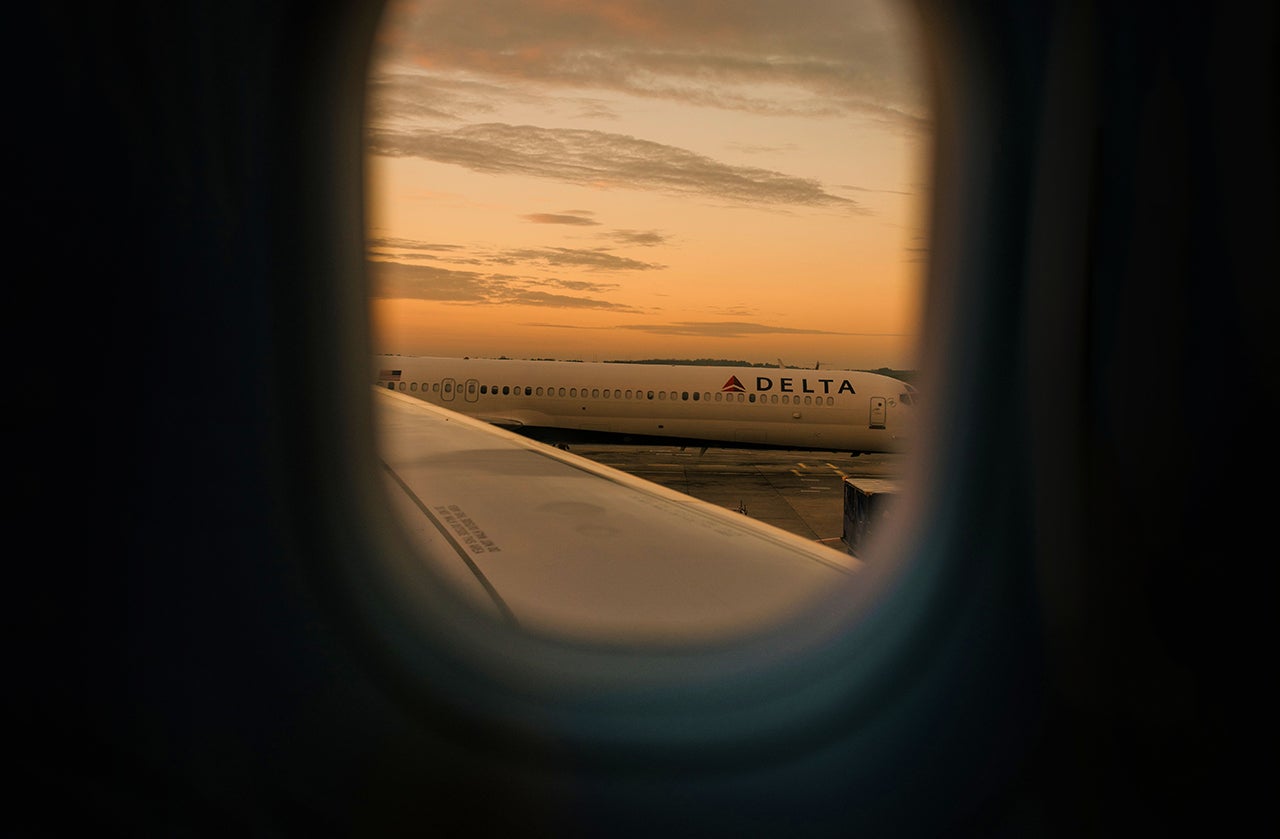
x: 625, y: 180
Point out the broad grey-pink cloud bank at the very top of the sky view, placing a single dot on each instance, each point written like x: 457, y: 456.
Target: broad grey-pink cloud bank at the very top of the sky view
x: 802, y: 57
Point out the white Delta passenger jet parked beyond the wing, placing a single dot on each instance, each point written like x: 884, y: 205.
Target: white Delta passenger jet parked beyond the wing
x: 602, y: 403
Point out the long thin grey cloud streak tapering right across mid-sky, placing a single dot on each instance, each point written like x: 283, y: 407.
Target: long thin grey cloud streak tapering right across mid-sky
x: 601, y: 159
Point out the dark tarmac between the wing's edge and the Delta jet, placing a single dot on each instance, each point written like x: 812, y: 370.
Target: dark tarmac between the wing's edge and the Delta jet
x: 799, y: 493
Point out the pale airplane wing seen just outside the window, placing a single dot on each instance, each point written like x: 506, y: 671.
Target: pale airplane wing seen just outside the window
x: 566, y: 548
